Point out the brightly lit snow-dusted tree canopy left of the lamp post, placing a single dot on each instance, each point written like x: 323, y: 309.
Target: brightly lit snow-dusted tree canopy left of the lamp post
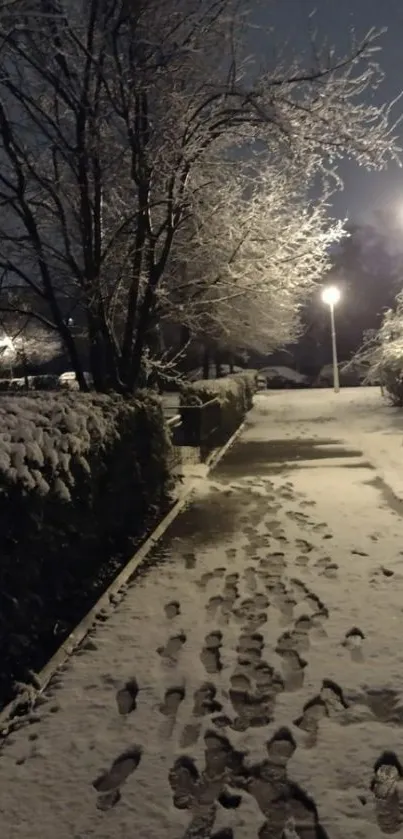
x: 249, y: 258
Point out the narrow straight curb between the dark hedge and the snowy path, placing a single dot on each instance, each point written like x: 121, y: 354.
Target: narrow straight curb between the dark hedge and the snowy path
x: 77, y: 636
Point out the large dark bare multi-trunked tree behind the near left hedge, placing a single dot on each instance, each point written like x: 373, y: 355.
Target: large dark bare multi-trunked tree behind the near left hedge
x: 111, y: 118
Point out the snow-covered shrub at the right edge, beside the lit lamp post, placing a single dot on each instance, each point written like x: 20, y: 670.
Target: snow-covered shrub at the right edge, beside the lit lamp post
x: 380, y: 358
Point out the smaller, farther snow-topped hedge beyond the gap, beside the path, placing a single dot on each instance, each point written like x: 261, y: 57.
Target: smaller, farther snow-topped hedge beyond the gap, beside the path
x: 234, y: 396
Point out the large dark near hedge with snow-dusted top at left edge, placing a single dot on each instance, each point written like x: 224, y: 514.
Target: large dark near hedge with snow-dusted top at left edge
x: 79, y: 474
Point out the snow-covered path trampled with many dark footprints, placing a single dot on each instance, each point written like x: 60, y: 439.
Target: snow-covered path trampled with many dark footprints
x: 252, y: 680
